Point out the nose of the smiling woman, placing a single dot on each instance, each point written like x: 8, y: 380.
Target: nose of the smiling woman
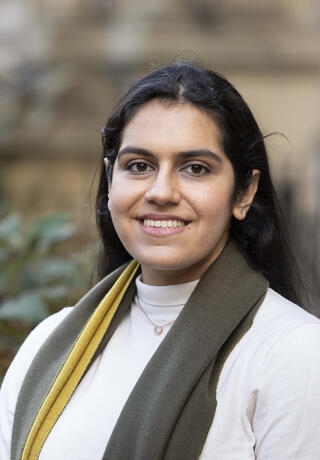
x: 163, y: 190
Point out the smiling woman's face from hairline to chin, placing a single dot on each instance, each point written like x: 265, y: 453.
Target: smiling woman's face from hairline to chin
x: 171, y: 192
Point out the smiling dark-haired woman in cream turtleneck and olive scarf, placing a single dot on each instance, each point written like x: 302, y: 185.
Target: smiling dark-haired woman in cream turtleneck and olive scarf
x: 198, y: 351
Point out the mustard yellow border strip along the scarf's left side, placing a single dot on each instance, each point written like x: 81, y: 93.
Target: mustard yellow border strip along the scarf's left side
x: 75, y: 365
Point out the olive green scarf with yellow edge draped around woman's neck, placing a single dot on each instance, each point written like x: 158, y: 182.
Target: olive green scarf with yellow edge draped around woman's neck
x: 171, y: 407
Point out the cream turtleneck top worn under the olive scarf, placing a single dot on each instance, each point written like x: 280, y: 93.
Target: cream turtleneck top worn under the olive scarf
x: 268, y: 400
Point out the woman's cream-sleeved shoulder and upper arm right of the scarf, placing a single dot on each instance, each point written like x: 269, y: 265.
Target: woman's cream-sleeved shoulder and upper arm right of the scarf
x: 269, y: 384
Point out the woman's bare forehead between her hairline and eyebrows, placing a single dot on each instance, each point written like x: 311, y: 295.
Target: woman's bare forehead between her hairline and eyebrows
x: 177, y: 125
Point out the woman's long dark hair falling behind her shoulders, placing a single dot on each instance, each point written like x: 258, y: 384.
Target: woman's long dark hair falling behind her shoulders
x: 262, y: 235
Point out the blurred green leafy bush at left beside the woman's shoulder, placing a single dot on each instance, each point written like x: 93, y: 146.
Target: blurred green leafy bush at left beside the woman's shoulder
x: 38, y: 275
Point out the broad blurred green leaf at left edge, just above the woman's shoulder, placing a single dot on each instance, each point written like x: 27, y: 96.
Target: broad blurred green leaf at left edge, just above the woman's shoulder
x: 28, y: 308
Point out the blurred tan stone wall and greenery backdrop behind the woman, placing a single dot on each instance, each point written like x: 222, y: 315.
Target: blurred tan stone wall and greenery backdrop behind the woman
x: 63, y: 65
